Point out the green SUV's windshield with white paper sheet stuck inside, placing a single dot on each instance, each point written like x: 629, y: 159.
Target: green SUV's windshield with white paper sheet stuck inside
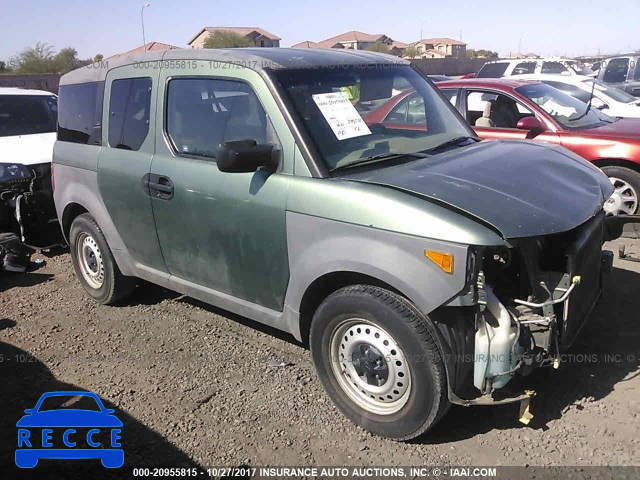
x: 353, y: 113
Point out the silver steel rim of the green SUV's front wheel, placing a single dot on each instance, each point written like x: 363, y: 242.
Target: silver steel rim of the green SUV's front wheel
x: 360, y: 350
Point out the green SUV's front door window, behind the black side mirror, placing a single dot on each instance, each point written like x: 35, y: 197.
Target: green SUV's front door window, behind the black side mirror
x: 203, y: 113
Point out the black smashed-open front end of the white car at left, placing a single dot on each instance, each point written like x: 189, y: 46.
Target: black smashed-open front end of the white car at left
x: 26, y: 205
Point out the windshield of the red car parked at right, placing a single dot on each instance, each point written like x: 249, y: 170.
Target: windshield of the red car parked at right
x: 565, y: 110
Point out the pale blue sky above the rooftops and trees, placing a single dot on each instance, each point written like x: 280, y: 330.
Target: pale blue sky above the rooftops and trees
x: 546, y: 27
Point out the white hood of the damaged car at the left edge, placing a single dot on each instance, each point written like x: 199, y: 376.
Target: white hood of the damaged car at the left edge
x: 27, y: 149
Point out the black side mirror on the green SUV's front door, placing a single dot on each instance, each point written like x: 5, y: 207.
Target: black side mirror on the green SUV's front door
x: 245, y: 156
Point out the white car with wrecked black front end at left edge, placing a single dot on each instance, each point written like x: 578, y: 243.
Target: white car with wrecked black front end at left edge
x: 28, y: 120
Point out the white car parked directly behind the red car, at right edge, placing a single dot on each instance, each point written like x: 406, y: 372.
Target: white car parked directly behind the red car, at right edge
x: 612, y: 101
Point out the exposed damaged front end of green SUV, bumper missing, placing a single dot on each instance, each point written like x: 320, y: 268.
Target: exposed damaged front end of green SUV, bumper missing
x: 529, y: 300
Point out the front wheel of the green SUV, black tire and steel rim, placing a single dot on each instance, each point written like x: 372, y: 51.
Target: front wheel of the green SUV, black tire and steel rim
x: 426, y: 395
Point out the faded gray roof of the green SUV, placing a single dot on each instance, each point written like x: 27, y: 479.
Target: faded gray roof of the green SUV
x: 254, y: 58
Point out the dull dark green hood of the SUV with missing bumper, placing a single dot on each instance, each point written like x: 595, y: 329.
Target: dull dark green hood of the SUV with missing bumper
x: 520, y: 188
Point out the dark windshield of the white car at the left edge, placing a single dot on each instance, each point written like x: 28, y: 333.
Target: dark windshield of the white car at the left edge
x: 27, y: 114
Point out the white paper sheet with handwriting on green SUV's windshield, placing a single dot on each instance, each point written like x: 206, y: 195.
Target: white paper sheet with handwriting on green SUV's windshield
x: 341, y: 115
